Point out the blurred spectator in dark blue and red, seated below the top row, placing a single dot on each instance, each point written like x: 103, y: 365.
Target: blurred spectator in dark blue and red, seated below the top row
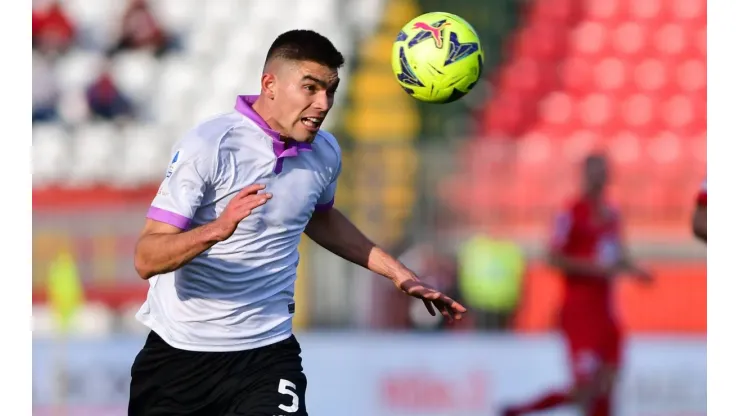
x: 106, y: 101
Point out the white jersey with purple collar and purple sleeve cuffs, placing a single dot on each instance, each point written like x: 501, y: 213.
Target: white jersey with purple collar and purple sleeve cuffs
x: 238, y: 294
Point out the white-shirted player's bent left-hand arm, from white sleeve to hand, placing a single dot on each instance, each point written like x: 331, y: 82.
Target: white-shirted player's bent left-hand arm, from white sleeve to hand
x: 167, y: 241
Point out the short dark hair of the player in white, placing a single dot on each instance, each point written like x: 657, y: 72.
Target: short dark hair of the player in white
x: 305, y: 45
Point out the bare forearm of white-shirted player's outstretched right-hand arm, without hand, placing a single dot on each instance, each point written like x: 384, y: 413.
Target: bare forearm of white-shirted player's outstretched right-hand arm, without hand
x: 333, y: 231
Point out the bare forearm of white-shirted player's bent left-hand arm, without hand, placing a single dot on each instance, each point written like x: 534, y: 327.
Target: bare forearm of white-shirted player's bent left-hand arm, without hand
x: 162, y: 253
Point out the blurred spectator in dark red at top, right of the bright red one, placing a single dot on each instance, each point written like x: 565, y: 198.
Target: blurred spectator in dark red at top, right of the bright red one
x: 140, y: 29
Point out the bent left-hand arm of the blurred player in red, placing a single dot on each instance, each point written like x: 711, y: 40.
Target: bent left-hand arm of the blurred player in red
x: 558, y: 253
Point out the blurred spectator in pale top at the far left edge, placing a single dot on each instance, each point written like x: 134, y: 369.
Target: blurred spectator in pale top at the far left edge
x: 44, y: 89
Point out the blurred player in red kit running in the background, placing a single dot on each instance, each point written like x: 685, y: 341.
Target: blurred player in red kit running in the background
x: 587, y: 247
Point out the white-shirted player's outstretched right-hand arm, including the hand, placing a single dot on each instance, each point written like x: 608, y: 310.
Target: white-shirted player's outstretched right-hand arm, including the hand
x: 330, y: 229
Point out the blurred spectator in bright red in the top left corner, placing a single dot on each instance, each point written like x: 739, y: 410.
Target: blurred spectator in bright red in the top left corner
x: 52, y: 31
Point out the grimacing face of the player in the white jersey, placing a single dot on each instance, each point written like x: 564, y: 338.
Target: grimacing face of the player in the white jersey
x: 304, y: 94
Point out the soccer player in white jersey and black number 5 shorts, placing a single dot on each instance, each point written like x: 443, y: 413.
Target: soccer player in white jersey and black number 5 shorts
x: 219, y: 247
